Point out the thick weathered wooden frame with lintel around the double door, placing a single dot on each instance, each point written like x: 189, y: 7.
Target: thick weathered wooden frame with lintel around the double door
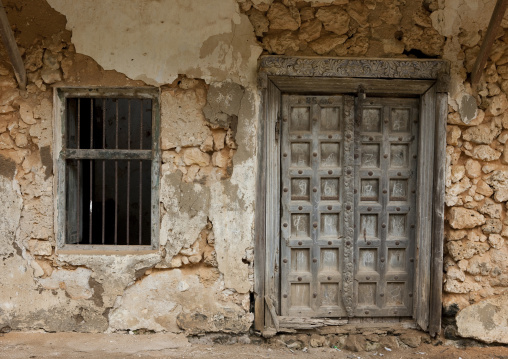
x: 427, y: 79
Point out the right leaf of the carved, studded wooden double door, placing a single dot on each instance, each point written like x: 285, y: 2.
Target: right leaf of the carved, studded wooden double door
x: 385, y: 206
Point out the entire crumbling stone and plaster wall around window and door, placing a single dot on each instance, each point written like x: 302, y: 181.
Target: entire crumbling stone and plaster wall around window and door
x: 203, y: 58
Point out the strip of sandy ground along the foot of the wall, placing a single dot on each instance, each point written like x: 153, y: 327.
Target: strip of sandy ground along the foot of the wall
x: 16, y: 345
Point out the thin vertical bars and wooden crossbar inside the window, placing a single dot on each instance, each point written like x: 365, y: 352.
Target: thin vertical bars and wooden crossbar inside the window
x: 92, y: 153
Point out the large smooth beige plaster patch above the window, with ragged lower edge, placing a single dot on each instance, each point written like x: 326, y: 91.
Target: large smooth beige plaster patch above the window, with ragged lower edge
x: 155, y: 40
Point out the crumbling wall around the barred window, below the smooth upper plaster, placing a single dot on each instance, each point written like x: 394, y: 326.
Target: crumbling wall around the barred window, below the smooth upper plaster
x: 200, y: 279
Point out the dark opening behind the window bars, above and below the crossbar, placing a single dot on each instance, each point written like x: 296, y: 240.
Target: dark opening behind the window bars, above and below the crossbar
x: 97, y: 196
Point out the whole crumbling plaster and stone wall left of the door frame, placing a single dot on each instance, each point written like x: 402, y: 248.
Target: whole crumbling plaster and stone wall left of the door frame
x: 200, y: 279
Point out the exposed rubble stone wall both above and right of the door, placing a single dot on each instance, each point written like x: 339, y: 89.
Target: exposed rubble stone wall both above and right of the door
x: 476, y: 259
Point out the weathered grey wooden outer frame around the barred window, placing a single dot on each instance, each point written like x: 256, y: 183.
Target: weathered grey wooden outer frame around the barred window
x: 60, y: 96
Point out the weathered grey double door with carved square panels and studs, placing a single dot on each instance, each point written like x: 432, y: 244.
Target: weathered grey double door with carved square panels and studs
x: 347, y: 206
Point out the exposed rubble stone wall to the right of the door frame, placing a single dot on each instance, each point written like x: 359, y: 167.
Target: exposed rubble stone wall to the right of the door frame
x: 476, y: 261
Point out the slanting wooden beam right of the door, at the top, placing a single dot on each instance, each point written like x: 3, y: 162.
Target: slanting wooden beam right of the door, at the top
x: 488, y: 40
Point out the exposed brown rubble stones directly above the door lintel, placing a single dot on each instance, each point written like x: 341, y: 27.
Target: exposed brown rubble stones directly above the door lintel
x: 345, y: 28
